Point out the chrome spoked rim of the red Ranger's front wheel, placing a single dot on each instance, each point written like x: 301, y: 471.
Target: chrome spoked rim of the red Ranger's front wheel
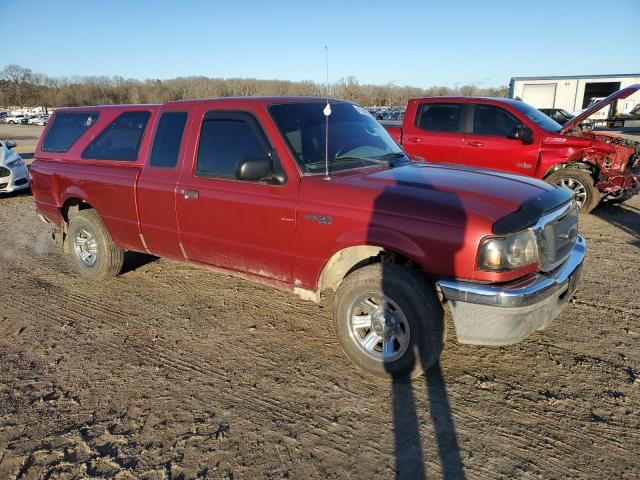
x: 379, y: 327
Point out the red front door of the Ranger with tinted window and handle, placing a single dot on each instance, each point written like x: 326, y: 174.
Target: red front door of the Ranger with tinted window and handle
x: 238, y: 225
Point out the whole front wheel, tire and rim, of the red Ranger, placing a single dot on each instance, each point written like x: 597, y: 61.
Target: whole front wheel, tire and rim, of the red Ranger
x: 389, y: 321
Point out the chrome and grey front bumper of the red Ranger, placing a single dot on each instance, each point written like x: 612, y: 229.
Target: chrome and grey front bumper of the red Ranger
x: 505, y: 314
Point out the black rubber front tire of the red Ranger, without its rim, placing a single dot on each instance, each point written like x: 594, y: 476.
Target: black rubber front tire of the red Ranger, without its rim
x: 420, y: 309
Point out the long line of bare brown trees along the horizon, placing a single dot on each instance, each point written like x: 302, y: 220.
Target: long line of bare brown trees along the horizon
x: 20, y: 86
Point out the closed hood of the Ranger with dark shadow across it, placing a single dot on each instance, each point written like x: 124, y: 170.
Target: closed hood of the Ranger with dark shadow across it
x: 449, y: 191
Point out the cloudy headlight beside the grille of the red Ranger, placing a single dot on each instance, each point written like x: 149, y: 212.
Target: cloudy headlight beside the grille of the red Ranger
x: 508, y: 252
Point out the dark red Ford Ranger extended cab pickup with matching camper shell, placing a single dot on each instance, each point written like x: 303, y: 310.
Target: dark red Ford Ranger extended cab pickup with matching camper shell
x: 241, y: 185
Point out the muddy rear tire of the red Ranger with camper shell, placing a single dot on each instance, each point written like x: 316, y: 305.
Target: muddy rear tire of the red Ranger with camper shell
x: 108, y: 258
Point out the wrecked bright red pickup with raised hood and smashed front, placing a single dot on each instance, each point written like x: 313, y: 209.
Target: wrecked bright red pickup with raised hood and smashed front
x: 512, y: 136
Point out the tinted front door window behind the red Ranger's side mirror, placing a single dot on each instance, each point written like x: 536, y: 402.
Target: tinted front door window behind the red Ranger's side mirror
x: 225, y: 140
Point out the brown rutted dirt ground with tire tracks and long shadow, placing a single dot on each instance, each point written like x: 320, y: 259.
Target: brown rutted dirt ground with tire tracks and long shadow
x: 170, y: 372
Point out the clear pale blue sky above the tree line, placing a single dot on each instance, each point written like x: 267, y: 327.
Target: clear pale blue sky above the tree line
x: 419, y: 43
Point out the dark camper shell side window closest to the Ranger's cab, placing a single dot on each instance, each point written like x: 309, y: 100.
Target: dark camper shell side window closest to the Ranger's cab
x: 120, y: 140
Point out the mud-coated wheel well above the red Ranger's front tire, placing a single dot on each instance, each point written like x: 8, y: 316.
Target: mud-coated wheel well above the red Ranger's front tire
x: 350, y: 259
